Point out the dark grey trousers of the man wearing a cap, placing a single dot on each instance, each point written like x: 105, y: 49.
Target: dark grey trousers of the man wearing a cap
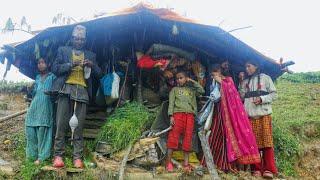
x: 64, y: 113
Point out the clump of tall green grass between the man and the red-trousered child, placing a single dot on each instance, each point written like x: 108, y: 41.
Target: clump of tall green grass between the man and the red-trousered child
x: 125, y: 125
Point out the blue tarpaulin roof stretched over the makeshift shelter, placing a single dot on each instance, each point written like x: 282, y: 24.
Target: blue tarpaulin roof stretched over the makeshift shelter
x: 140, y: 27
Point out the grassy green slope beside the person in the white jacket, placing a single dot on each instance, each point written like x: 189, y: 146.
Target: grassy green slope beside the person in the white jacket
x: 296, y: 111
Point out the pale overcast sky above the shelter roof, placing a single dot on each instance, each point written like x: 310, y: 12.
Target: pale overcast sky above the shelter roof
x: 286, y: 28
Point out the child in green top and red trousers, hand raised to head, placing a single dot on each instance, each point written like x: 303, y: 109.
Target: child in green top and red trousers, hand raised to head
x: 182, y: 107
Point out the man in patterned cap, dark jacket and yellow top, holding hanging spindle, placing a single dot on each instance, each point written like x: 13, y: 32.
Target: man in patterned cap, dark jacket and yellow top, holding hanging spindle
x: 74, y: 68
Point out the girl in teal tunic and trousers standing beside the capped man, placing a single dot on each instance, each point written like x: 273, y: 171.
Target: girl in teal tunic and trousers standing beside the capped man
x: 39, y: 117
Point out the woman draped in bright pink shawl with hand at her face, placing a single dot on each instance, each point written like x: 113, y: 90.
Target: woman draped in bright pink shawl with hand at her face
x: 232, y: 140
